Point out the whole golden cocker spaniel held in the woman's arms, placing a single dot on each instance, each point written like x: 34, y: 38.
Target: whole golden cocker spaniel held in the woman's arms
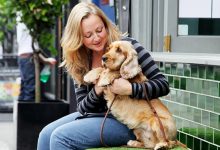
x: 120, y: 60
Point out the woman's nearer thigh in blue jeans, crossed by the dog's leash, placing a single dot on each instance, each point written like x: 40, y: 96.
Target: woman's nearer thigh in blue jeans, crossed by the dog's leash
x: 85, y: 133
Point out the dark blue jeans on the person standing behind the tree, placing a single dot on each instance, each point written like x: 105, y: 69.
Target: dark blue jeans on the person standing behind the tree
x: 27, y: 72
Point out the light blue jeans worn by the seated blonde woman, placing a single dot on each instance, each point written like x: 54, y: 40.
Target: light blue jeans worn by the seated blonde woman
x: 69, y: 133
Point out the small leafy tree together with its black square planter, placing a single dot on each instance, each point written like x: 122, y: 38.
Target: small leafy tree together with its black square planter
x: 40, y: 18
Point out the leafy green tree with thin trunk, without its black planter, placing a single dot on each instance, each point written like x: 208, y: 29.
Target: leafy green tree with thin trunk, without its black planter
x: 40, y: 18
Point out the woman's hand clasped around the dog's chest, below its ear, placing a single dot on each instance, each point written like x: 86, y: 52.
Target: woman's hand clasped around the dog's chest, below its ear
x: 121, y: 87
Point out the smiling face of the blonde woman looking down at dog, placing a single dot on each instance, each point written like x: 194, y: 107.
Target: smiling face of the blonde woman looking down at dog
x: 94, y: 33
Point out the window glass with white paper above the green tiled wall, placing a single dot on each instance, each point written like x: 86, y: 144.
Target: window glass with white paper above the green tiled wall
x: 199, y: 17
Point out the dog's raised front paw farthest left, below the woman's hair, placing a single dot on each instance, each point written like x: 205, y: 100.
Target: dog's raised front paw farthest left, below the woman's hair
x: 93, y: 75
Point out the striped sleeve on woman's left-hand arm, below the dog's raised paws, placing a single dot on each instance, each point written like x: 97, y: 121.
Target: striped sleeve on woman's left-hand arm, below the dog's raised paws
x: 88, y: 101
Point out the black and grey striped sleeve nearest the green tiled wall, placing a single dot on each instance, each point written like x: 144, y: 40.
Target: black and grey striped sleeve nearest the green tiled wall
x: 157, y: 84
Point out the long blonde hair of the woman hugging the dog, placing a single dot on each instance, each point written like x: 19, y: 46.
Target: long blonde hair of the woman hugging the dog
x: 75, y: 54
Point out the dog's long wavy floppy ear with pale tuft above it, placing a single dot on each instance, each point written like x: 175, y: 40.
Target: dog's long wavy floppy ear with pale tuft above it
x: 130, y: 68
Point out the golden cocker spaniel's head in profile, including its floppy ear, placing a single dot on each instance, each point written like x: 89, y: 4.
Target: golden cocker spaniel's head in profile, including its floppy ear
x: 121, y: 56
